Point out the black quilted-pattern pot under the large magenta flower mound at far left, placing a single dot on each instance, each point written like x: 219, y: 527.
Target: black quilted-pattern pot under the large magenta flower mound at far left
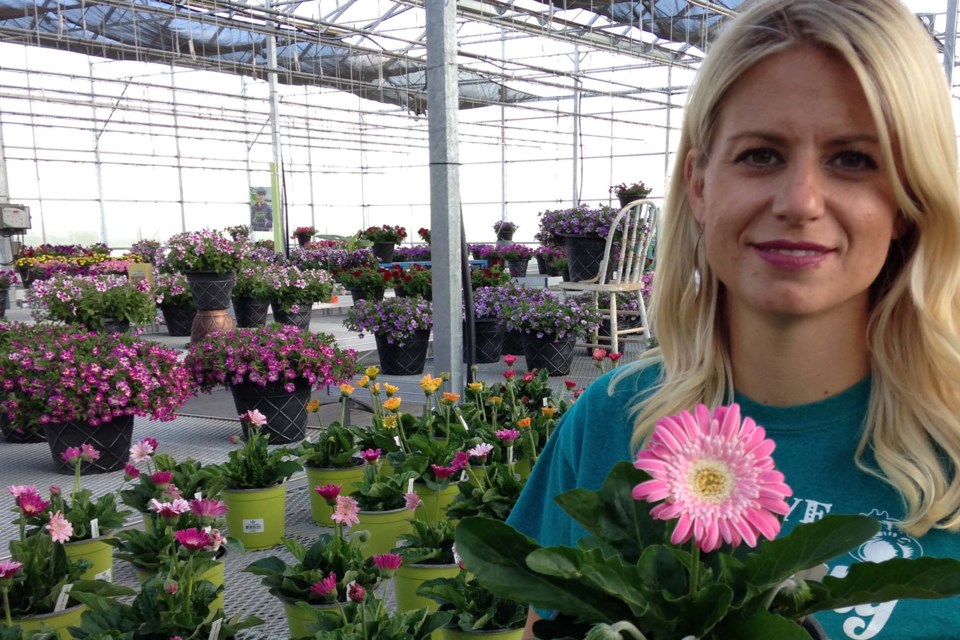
x: 112, y: 439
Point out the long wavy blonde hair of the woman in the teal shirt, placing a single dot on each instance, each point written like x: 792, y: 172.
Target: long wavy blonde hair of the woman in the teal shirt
x: 913, y: 421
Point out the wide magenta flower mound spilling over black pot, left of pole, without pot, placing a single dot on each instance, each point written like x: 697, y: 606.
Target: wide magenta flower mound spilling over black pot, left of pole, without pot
x: 269, y: 354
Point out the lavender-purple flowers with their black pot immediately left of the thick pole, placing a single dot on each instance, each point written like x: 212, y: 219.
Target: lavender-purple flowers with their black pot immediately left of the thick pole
x: 401, y: 327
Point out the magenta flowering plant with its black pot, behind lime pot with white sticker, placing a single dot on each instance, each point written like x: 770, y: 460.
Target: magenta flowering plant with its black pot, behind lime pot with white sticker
x: 272, y: 369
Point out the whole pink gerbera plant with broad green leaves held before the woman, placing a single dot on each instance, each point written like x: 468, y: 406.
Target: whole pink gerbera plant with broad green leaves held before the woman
x: 683, y: 543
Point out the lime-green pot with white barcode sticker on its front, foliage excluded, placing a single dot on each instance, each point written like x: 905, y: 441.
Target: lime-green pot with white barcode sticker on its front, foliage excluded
x: 255, y: 517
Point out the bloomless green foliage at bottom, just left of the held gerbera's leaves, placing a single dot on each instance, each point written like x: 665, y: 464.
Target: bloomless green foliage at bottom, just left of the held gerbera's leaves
x: 477, y: 613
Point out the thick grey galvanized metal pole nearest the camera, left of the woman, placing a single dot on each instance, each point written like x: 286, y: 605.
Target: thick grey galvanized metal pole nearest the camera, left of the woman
x: 445, y: 217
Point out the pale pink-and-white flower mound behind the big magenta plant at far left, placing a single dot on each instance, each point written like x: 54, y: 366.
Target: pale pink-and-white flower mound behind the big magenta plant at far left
x: 98, y: 302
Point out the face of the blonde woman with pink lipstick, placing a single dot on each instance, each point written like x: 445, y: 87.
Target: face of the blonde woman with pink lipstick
x: 796, y: 205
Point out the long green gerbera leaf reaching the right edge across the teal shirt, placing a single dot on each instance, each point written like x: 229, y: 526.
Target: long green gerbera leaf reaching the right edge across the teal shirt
x: 899, y: 578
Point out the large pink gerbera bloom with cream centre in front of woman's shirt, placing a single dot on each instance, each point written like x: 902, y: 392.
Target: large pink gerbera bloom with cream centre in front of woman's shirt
x: 715, y: 477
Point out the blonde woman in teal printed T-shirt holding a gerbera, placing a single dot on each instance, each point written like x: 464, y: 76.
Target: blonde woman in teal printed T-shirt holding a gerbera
x: 810, y: 271
